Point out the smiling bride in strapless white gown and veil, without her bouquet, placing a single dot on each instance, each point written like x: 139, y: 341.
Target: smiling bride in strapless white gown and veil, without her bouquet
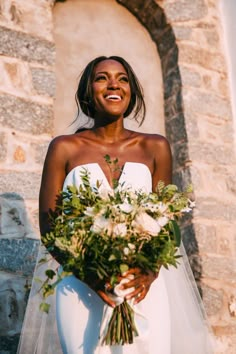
x: 167, y: 306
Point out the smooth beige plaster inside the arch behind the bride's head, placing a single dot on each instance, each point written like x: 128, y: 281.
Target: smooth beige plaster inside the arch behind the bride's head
x: 85, y: 29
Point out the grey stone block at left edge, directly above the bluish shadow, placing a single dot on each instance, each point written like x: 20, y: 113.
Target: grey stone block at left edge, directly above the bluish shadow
x: 25, y: 183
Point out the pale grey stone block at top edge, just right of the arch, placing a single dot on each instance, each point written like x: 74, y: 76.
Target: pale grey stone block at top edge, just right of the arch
x: 185, y: 10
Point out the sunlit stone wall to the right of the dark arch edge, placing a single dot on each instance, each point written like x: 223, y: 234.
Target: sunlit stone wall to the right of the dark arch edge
x: 211, y: 139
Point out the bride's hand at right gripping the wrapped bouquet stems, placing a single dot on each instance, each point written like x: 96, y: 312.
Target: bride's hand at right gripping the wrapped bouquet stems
x: 141, y: 283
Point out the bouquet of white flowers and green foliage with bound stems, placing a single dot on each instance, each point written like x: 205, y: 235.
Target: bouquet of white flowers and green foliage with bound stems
x: 99, y: 234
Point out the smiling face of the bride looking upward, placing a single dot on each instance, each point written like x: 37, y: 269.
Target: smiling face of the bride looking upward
x: 111, y: 89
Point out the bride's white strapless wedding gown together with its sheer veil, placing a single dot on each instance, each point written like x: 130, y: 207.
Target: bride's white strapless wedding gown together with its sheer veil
x: 170, y: 320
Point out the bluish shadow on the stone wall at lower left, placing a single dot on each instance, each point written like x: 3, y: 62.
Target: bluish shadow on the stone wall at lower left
x: 18, y: 253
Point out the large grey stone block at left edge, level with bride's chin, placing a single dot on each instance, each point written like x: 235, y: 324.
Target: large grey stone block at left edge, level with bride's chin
x: 26, y: 116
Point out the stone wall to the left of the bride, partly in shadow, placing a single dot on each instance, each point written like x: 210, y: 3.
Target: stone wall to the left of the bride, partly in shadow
x: 27, y: 87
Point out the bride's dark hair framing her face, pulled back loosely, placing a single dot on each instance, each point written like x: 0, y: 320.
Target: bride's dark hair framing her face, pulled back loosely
x: 84, y: 94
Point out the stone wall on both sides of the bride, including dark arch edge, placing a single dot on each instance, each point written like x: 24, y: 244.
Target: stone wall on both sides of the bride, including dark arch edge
x: 188, y: 36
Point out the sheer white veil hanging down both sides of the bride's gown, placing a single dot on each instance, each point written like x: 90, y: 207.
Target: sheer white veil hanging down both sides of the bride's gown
x: 190, y: 332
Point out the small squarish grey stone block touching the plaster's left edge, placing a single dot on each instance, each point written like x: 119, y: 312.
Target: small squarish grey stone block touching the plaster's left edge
x: 44, y: 81
